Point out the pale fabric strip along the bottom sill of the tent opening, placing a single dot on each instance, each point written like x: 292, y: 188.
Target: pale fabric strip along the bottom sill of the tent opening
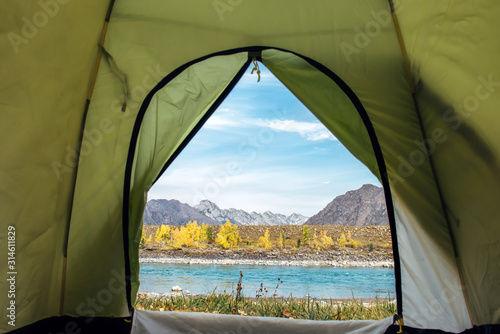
x: 192, y: 322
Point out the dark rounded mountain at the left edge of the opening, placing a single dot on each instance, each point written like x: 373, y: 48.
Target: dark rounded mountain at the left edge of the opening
x: 173, y: 212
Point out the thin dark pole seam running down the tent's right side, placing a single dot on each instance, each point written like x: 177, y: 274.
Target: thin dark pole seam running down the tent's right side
x: 433, y: 168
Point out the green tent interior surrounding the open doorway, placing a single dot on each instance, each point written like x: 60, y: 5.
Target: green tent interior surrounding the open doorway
x: 98, y: 97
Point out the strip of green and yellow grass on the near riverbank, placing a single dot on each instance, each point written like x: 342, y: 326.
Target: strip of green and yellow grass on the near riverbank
x: 305, y: 308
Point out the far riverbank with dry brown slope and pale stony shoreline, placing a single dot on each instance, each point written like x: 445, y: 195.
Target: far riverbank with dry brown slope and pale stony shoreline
x: 372, y: 248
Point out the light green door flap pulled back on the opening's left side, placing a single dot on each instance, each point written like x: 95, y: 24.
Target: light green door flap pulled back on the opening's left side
x: 182, y: 102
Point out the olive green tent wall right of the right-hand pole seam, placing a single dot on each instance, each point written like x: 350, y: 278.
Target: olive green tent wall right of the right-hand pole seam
x: 454, y: 58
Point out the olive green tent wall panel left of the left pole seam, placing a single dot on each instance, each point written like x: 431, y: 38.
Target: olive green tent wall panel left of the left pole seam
x: 47, y: 54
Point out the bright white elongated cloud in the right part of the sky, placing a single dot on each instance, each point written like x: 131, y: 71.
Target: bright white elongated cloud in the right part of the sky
x: 311, y: 131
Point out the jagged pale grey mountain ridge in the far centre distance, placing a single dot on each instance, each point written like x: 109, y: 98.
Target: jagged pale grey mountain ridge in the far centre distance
x: 241, y: 217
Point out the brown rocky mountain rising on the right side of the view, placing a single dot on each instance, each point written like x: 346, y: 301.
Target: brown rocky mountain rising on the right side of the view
x: 363, y: 206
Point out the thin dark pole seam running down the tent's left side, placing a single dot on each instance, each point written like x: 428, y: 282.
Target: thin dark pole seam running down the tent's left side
x: 84, y: 119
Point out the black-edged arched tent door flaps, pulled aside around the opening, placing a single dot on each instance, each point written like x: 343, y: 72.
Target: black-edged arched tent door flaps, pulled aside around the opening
x: 187, y: 98
